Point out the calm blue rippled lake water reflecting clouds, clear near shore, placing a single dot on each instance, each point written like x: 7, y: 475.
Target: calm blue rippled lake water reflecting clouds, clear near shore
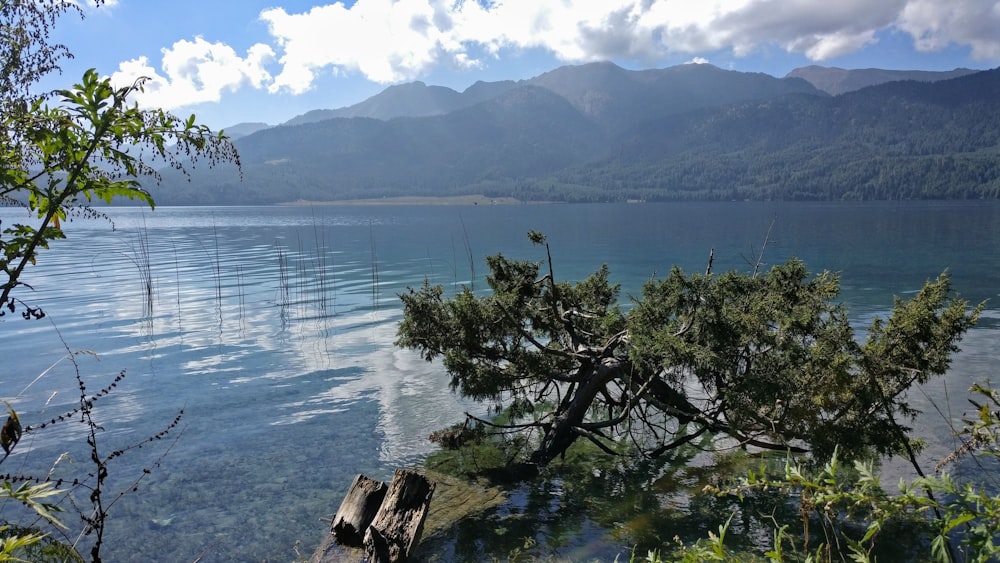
x: 272, y: 329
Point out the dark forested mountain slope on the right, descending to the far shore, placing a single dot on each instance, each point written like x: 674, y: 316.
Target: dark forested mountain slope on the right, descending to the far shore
x: 900, y: 140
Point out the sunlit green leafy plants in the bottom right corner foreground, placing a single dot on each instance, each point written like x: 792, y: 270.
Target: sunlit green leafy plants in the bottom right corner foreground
x: 959, y: 519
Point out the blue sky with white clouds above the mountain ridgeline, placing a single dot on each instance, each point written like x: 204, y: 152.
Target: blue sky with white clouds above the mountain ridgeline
x: 235, y: 61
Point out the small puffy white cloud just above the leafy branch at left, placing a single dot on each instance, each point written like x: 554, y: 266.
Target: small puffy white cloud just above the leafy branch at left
x: 196, y: 71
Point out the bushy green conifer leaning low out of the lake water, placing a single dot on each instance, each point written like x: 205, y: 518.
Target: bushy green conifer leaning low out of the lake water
x: 761, y: 359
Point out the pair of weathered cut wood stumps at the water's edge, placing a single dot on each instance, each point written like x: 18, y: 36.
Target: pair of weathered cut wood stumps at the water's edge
x: 385, y: 521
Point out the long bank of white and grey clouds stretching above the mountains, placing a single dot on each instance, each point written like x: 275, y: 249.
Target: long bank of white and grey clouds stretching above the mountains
x: 389, y: 41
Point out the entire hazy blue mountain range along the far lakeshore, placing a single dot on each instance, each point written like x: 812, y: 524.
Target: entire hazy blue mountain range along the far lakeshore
x: 598, y: 132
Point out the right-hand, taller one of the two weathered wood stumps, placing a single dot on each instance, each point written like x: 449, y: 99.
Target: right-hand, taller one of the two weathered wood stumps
x: 396, y: 529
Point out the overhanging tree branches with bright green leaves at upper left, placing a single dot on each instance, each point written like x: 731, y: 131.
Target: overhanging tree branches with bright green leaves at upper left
x: 60, y: 151
